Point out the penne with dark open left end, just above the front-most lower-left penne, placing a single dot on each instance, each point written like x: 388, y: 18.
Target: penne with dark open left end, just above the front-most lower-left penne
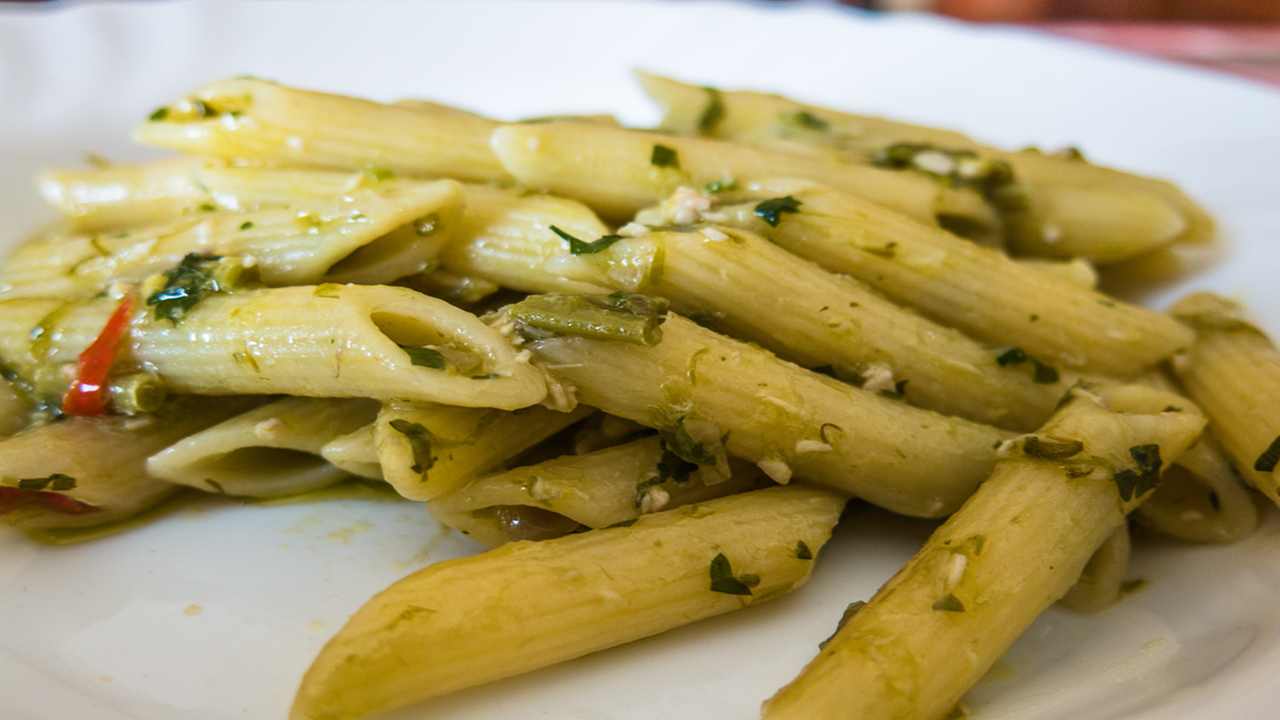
x: 575, y: 493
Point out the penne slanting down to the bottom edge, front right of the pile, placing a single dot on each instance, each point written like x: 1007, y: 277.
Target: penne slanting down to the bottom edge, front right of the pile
x: 1017, y: 546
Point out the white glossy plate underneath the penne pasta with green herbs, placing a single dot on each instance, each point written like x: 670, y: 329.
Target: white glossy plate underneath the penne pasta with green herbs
x: 217, y: 613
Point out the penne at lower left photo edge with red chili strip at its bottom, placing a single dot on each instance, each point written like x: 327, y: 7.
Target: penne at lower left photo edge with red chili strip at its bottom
x: 85, y: 472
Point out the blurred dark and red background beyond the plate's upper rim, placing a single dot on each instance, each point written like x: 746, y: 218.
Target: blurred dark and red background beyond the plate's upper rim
x: 1240, y: 38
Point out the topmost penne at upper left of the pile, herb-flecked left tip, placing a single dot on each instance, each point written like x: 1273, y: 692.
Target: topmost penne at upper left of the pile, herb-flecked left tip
x: 255, y: 120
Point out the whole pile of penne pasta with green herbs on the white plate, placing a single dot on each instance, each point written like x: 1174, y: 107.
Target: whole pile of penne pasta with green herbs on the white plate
x: 650, y: 368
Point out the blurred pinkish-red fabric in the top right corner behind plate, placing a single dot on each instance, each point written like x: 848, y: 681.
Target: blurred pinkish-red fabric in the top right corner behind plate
x: 1251, y: 52
